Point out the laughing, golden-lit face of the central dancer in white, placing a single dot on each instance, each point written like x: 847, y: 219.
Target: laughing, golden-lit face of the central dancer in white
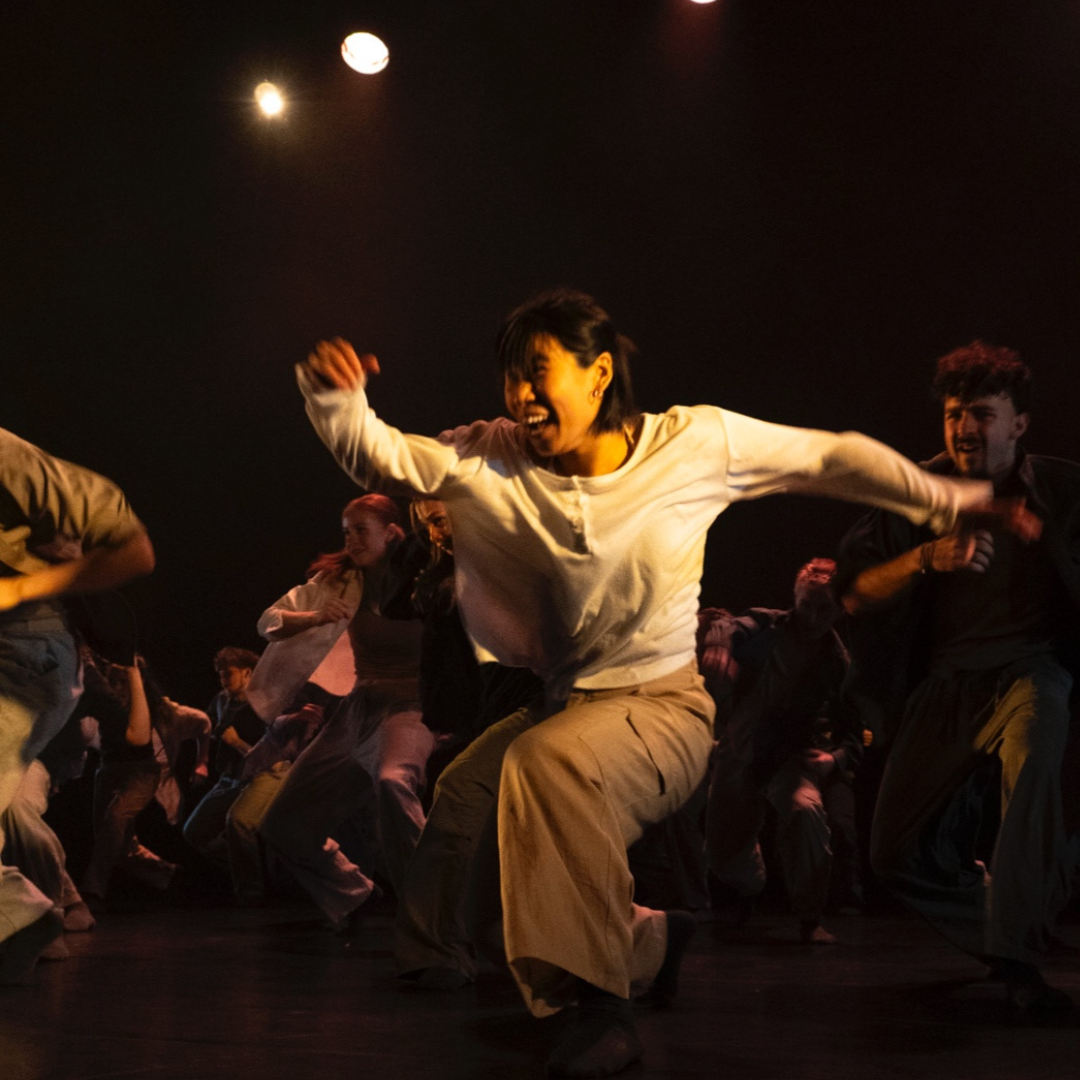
x: 556, y: 400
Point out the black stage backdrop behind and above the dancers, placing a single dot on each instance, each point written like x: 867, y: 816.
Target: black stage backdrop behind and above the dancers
x: 793, y: 208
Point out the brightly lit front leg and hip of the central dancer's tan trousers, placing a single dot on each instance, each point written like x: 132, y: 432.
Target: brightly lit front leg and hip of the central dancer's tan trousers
x: 577, y: 789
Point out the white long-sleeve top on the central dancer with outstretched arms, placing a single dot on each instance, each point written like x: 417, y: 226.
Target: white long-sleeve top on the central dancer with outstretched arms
x: 593, y: 582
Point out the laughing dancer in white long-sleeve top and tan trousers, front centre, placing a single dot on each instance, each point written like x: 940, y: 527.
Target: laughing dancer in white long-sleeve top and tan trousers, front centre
x: 579, y: 531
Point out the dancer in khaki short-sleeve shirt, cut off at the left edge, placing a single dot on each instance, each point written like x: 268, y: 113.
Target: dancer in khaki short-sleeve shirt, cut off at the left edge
x: 63, y: 531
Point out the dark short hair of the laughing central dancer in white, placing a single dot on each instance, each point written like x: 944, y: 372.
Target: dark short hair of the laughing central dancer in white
x: 584, y: 329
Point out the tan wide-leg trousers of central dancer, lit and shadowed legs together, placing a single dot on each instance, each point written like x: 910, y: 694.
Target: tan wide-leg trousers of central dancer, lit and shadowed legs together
x: 575, y: 785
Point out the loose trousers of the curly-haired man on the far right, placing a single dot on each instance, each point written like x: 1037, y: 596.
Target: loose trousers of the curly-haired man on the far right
x: 923, y: 843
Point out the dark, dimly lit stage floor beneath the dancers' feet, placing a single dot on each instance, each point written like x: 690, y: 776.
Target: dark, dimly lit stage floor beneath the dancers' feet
x: 204, y: 994
